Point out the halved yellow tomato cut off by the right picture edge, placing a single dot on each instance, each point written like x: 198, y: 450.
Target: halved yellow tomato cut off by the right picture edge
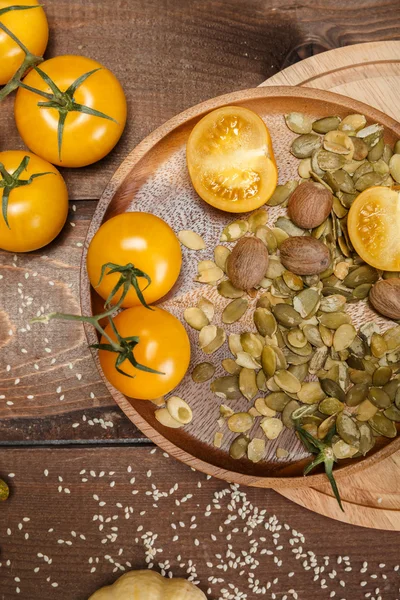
x: 374, y: 226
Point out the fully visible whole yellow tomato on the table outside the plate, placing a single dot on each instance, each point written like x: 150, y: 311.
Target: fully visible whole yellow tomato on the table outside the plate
x: 77, y: 113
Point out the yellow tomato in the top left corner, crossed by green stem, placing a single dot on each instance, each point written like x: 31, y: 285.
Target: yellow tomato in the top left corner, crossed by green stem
x: 29, y: 26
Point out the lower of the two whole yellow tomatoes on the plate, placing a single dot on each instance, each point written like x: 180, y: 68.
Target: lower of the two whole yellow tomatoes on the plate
x: 163, y: 345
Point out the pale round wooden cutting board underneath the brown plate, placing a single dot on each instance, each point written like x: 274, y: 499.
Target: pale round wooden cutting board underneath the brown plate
x: 370, y: 73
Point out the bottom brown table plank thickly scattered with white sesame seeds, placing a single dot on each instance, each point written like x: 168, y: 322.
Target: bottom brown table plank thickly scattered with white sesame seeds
x: 70, y: 528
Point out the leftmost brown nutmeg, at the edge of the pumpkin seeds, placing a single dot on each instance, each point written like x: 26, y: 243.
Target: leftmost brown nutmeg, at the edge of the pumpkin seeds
x: 247, y: 263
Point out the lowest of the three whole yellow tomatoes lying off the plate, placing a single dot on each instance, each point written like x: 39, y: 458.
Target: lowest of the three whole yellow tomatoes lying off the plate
x: 37, y: 204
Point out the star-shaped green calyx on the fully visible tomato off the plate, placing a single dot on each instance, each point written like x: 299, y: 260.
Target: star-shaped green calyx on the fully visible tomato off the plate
x: 64, y: 102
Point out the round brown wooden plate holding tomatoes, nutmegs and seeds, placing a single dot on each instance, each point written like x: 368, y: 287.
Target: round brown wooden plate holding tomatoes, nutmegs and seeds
x: 154, y: 178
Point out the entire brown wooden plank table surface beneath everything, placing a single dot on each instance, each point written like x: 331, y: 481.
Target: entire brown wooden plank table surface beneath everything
x: 79, y: 515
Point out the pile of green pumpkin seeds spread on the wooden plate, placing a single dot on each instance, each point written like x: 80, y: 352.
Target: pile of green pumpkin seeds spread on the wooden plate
x: 305, y: 364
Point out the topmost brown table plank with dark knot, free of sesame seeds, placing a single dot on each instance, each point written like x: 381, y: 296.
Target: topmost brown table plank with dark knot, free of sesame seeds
x: 170, y: 54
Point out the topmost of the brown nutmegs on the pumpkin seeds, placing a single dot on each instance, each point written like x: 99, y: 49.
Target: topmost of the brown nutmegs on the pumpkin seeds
x: 310, y: 204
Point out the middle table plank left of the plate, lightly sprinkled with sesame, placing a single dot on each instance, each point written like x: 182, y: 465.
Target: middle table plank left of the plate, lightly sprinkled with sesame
x: 48, y: 380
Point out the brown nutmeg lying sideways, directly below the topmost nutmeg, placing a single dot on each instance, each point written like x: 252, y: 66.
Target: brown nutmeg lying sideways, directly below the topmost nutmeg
x: 304, y: 255
